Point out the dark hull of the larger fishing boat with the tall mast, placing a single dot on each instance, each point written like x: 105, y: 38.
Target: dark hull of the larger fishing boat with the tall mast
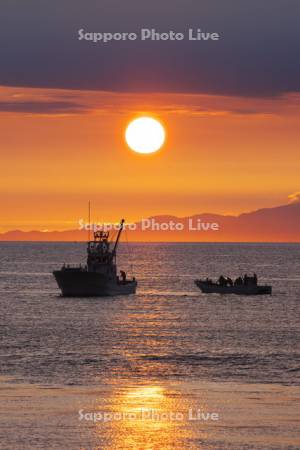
x: 80, y: 283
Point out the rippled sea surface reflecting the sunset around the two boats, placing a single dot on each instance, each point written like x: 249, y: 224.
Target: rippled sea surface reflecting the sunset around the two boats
x: 166, y: 368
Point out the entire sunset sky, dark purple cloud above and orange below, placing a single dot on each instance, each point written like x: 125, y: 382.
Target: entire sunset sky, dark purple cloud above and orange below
x: 231, y: 110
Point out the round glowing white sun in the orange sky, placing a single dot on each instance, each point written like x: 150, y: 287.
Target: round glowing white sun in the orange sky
x: 145, y: 135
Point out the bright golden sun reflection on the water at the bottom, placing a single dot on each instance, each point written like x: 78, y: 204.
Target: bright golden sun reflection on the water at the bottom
x: 148, y: 417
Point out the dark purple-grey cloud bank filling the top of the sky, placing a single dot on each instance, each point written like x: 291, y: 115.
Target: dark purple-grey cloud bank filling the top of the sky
x: 257, y: 54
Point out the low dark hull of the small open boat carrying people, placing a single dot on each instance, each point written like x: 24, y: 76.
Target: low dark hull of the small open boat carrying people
x: 209, y: 287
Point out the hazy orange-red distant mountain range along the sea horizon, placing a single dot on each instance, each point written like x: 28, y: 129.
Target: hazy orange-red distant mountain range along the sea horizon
x: 279, y: 224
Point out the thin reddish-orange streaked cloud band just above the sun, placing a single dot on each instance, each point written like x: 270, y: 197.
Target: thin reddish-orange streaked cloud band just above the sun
x: 66, y: 102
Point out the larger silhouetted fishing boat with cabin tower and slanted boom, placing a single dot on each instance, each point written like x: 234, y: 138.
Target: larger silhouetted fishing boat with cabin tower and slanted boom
x: 99, y: 276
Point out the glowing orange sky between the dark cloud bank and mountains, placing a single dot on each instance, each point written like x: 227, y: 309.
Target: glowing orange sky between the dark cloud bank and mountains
x: 60, y: 148
